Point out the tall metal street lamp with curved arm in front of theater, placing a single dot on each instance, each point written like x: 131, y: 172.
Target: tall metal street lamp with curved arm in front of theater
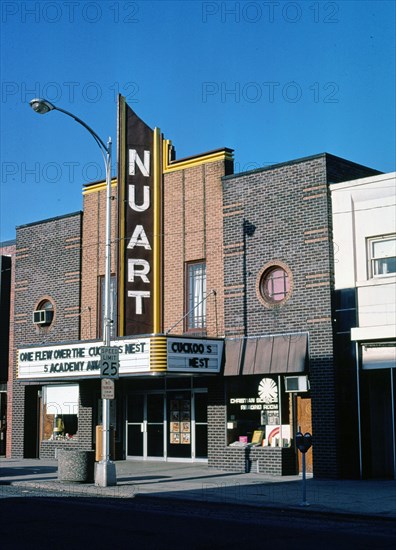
x: 105, y: 472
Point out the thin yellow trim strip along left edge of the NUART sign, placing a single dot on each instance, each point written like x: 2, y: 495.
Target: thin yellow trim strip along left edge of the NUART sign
x: 121, y: 228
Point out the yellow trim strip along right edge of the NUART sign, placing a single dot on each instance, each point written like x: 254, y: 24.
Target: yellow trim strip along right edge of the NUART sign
x: 157, y: 233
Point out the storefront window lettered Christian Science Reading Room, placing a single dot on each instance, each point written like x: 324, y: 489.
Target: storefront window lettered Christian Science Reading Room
x: 257, y: 412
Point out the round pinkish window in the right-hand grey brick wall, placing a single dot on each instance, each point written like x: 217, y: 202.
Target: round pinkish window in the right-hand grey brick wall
x: 274, y: 284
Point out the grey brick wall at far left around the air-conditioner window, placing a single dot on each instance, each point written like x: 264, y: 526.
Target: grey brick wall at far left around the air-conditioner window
x: 48, y: 265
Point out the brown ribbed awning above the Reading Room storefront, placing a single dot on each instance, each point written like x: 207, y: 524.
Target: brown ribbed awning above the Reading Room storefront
x: 279, y: 354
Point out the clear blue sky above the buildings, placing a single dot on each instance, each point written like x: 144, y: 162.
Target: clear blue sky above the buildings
x: 274, y: 81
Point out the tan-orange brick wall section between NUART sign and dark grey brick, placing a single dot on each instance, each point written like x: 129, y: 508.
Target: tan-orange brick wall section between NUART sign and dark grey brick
x: 193, y: 231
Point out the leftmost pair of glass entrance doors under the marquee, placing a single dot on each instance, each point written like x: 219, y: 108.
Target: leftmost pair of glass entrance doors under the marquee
x: 145, y: 425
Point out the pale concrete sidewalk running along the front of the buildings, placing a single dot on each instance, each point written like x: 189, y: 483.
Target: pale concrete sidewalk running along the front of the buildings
x: 197, y: 482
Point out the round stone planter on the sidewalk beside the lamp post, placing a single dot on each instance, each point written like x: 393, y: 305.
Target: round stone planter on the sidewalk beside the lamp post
x: 76, y: 466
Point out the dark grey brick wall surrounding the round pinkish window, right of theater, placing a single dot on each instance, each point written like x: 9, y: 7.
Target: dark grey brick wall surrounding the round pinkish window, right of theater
x: 282, y: 214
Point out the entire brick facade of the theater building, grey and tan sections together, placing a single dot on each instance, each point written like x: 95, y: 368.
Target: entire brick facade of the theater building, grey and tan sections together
x: 237, y: 224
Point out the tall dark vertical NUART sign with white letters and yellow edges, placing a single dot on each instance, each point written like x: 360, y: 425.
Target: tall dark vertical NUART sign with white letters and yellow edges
x: 140, y: 182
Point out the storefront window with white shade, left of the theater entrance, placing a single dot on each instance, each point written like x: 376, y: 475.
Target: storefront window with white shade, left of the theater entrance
x: 60, y: 412
